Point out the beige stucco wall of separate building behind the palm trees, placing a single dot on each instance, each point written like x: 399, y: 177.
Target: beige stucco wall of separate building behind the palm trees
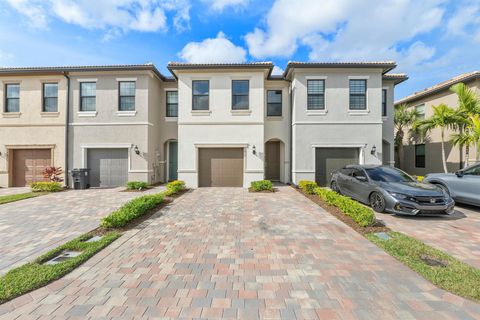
x: 433, y: 155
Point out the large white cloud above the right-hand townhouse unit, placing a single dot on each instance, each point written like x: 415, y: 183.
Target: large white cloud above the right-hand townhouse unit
x: 345, y: 29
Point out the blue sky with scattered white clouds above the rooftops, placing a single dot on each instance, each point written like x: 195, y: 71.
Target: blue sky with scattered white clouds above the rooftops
x: 431, y: 40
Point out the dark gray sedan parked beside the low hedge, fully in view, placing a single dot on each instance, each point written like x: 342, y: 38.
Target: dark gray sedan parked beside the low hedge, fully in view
x: 388, y: 189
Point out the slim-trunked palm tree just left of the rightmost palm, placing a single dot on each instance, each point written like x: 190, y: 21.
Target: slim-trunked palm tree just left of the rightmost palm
x: 443, y: 117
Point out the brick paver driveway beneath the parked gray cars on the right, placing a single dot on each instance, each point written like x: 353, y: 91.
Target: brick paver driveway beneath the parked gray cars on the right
x: 457, y: 234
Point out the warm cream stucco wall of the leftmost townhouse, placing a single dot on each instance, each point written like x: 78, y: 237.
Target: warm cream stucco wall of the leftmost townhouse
x: 32, y: 128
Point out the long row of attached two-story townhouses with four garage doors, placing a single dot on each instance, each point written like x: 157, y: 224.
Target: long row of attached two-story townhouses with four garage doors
x: 207, y: 124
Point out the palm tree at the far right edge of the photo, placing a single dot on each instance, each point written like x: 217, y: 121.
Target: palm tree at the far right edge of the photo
x: 468, y: 104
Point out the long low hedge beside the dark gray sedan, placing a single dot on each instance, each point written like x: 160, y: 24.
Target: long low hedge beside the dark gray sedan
x: 362, y: 215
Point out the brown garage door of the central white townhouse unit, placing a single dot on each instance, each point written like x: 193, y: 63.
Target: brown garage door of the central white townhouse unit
x: 220, y: 167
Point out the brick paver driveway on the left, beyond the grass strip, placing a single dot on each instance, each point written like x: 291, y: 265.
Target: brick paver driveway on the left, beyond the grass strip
x: 31, y: 227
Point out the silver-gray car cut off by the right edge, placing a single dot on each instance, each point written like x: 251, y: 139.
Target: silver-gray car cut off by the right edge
x: 463, y: 185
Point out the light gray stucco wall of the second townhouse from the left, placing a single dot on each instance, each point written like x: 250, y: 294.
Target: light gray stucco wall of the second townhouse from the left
x: 108, y: 128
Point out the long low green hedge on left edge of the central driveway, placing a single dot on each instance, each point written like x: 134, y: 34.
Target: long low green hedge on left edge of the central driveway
x: 132, y: 210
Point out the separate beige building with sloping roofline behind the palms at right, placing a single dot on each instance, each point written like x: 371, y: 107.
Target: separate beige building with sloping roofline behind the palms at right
x: 423, y: 155
